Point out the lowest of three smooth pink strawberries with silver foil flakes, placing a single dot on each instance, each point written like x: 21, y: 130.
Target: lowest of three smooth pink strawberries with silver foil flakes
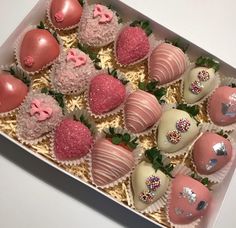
x: 186, y: 208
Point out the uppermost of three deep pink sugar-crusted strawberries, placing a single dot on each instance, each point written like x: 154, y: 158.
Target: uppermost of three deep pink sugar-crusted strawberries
x: 132, y: 45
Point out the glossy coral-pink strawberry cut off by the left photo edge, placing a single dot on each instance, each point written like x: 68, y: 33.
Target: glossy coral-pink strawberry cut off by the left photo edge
x: 12, y: 92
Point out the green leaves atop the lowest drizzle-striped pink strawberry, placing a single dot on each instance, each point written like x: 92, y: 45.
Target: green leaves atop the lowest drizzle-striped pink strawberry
x: 121, y: 139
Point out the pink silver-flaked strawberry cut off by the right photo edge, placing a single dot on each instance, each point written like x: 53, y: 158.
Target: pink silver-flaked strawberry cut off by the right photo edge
x: 222, y: 106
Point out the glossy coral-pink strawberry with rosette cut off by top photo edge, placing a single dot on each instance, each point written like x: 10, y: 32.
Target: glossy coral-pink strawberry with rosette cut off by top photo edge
x: 65, y: 14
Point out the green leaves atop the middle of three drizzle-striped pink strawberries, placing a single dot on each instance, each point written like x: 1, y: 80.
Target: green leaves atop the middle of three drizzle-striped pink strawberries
x: 150, y: 87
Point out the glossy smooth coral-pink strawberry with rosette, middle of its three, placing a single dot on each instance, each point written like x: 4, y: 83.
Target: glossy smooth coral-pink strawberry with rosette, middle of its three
x: 37, y: 50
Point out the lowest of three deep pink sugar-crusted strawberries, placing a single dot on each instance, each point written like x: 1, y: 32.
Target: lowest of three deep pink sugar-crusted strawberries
x: 72, y: 140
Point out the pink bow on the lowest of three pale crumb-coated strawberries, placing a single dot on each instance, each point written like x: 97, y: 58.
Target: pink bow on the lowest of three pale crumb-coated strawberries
x: 40, y: 112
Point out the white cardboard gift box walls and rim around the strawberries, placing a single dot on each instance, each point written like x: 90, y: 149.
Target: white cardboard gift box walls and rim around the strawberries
x: 38, y: 12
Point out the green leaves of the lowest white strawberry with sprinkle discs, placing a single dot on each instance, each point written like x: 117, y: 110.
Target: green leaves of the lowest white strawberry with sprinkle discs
x: 155, y: 157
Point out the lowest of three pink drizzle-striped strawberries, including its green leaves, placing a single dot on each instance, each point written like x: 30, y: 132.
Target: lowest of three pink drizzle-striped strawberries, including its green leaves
x: 112, y: 158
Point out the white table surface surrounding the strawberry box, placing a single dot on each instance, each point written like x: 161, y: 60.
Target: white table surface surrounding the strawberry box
x: 32, y: 194
